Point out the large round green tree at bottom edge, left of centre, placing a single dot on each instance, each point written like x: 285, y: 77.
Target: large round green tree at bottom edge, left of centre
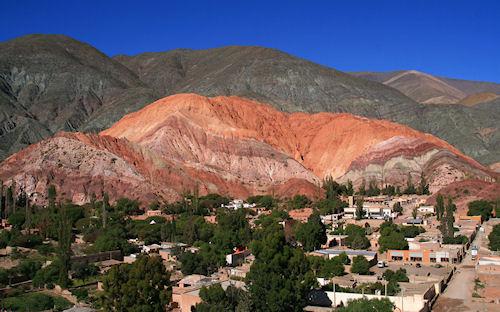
x: 143, y: 286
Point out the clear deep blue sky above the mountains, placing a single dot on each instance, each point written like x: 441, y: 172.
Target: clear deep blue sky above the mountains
x: 457, y: 38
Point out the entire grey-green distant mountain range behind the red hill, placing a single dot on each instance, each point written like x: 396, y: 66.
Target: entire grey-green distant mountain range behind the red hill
x: 51, y: 82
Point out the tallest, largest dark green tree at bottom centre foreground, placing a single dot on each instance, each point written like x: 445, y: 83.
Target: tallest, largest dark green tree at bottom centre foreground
x: 280, y: 277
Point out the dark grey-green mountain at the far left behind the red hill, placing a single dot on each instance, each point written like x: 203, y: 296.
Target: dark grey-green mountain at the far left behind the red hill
x: 50, y: 83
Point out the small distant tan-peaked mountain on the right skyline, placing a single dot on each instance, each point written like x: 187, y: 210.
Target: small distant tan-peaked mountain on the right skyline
x: 428, y: 89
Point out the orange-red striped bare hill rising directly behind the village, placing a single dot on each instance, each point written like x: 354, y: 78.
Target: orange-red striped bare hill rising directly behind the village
x: 234, y: 146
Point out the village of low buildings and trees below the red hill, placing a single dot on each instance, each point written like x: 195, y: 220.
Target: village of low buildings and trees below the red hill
x: 383, y: 246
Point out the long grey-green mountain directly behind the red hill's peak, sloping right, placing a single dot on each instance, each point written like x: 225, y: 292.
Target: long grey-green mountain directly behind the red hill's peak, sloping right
x: 292, y: 84
